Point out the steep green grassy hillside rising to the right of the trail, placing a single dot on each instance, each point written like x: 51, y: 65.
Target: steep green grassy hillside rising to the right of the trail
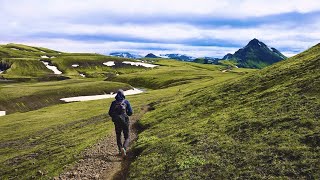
x: 264, y: 125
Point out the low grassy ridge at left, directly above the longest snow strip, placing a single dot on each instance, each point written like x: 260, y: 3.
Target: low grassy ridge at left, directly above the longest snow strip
x: 24, y: 97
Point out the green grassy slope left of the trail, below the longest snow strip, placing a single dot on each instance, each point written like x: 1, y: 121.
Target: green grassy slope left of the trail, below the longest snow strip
x: 45, y: 141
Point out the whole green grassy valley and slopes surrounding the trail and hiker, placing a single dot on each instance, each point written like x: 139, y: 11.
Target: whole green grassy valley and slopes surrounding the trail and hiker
x: 202, y: 121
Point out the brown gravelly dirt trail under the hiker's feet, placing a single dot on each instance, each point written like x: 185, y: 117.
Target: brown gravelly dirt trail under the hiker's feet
x: 102, y: 160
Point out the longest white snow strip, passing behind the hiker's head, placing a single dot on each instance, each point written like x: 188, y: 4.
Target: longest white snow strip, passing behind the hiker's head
x: 97, y: 97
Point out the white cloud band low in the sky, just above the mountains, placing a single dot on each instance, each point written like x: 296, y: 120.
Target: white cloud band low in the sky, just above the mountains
x: 274, y: 35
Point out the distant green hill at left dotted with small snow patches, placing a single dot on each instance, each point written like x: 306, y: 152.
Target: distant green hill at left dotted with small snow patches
x: 23, y: 63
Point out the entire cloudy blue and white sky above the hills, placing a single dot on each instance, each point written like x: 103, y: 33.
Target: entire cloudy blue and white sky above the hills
x: 192, y: 27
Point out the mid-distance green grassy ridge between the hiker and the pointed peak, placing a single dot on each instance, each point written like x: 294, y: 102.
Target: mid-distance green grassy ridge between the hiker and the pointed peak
x: 173, y: 73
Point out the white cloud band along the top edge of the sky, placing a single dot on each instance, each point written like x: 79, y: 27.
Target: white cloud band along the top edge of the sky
x: 218, y: 8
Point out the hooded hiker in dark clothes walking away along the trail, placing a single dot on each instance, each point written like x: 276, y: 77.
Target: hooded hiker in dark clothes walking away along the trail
x: 120, y: 110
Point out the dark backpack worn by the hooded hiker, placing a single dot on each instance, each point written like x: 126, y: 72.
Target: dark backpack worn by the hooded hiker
x: 120, y: 113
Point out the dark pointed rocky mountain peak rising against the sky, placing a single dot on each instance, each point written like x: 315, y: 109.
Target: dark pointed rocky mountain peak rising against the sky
x: 255, y: 54
